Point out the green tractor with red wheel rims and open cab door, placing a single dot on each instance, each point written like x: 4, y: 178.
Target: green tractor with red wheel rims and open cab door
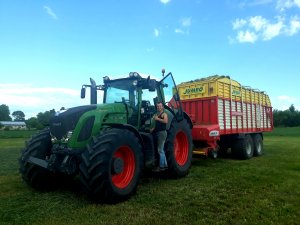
x: 109, y: 145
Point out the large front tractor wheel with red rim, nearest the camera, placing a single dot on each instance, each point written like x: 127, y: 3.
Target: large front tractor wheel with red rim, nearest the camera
x: 111, y: 166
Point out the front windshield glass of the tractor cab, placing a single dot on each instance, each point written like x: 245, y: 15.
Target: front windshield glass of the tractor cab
x: 121, y: 90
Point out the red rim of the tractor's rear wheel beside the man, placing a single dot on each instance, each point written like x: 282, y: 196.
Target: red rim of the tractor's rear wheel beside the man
x: 181, y: 148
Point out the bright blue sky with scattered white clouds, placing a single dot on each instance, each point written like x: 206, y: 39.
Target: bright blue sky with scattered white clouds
x: 48, y: 49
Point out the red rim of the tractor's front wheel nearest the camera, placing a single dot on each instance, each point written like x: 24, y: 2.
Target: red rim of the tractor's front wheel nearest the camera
x: 123, y: 179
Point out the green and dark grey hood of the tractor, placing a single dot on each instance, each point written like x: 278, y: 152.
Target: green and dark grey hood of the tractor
x: 77, y: 125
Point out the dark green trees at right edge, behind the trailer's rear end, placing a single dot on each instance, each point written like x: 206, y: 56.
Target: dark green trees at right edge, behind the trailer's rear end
x: 287, y: 118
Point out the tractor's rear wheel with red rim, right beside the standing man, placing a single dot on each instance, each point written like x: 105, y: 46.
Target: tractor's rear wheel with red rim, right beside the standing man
x: 179, y: 148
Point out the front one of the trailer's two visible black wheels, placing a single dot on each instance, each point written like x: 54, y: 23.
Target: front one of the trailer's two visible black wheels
x: 243, y: 148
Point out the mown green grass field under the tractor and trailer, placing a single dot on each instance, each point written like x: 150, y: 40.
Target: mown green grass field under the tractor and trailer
x: 263, y: 190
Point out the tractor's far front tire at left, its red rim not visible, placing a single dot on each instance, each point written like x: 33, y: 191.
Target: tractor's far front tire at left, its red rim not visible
x: 39, y: 178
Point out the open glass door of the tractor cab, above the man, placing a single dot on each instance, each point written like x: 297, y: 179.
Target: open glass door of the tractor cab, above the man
x: 170, y: 96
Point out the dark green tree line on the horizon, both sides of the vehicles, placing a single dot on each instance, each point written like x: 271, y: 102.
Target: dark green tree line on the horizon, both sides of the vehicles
x: 285, y: 118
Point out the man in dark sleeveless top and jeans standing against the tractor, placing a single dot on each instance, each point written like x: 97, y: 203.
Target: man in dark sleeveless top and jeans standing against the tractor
x: 160, y: 134
